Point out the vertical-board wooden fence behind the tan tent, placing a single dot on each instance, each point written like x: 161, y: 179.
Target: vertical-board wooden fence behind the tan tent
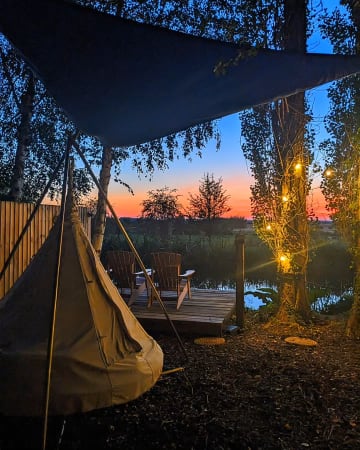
x: 13, y: 218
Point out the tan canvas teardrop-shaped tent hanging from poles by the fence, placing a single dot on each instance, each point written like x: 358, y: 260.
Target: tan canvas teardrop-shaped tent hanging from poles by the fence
x: 102, y: 356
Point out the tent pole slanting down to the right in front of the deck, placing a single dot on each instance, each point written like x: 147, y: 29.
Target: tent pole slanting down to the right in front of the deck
x: 131, y: 245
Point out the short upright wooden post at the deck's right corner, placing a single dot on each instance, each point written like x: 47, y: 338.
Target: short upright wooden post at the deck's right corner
x: 240, y: 280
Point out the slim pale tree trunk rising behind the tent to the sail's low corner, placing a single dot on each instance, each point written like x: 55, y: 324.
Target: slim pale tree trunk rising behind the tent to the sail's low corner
x: 99, y: 222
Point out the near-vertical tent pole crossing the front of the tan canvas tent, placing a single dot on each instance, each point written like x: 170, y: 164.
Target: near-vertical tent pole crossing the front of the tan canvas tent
x: 50, y: 350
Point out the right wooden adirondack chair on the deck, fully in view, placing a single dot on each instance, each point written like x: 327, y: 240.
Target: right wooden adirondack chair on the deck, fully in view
x: 168, y: 279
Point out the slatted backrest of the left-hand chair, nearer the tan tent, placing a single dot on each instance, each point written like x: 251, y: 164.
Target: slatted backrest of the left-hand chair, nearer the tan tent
x: 121, y: 265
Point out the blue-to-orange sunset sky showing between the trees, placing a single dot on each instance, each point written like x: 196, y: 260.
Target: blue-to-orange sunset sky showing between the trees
x: 228, y: 163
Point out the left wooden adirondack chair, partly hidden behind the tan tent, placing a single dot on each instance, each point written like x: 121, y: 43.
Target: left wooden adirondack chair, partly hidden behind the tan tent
x: 121, y: 268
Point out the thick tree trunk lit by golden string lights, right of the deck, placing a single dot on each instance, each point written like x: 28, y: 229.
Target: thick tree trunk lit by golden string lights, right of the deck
x: 294, y: 302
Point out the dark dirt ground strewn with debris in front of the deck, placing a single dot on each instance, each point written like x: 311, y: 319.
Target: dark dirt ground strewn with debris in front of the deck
x: 254, y: 391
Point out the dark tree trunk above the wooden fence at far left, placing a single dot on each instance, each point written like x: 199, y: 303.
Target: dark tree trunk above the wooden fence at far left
x: 23, y: 141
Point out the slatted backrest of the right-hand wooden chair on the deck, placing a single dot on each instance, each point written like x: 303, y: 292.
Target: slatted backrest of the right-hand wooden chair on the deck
x: 166, y: 269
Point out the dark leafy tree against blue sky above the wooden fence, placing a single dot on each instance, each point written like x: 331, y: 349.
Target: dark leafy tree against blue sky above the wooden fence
x: 33, y: 134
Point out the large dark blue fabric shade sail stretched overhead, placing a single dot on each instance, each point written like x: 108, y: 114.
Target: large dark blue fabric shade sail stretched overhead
x: 129, y: 83
